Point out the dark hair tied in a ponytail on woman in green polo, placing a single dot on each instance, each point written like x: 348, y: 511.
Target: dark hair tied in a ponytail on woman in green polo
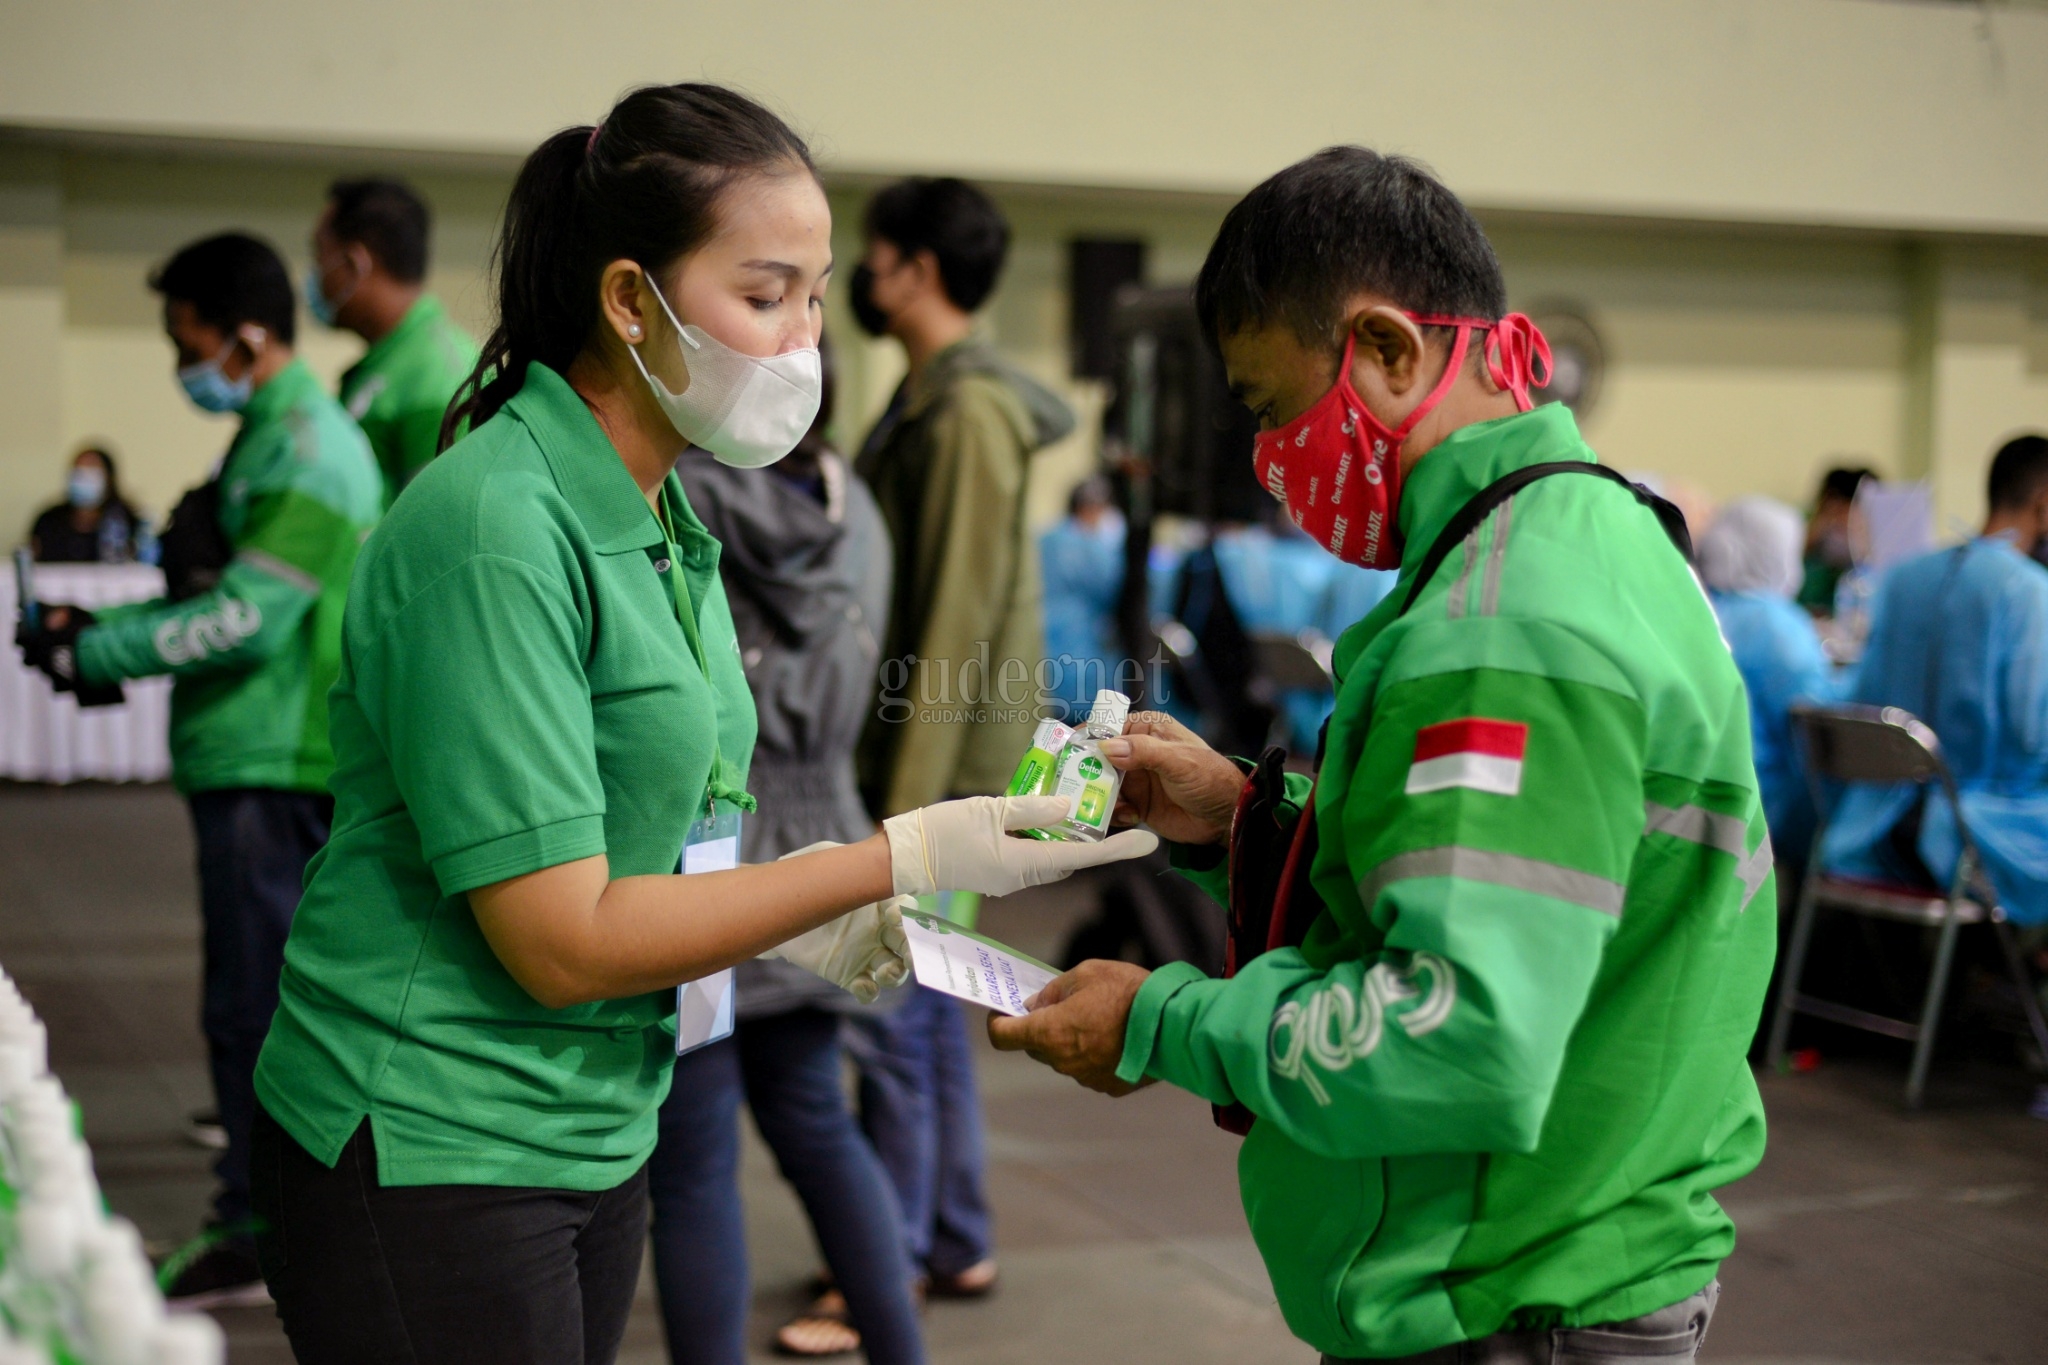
x: 644, y: 185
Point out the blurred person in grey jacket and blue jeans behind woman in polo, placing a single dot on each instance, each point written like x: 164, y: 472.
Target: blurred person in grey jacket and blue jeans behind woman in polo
x: 806, y: 566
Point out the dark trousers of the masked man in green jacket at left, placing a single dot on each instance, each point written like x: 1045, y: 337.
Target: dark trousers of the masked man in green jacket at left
x: 253, y: 852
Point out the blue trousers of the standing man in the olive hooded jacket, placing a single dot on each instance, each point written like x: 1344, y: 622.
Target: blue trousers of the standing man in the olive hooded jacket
x: 923, y: 1112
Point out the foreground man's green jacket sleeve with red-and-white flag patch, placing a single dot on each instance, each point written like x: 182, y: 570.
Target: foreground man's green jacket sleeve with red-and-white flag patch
x: 1437, y: 1016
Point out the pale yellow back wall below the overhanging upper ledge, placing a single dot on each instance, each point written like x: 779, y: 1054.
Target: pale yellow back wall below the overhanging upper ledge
x: 1740, y: 359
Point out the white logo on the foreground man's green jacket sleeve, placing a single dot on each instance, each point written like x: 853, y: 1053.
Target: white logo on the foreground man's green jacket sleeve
x: 1334, y: 1028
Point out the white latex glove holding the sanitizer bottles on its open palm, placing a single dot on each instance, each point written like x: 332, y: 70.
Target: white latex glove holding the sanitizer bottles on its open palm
x: 966, y: 846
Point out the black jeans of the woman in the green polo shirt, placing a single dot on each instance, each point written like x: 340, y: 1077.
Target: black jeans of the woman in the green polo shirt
x: 441, y: 1274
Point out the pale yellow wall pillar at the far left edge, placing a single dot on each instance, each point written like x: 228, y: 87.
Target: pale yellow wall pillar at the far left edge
x: 32, y: 339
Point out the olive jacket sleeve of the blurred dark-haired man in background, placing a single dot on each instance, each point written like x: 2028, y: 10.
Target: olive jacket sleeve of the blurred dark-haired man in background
x: 968, y: 562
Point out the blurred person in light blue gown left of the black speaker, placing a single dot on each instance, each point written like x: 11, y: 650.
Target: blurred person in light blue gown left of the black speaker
x: 1082, y: 560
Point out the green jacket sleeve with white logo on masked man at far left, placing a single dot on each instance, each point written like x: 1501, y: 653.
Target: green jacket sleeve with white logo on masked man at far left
x: 290, y: 545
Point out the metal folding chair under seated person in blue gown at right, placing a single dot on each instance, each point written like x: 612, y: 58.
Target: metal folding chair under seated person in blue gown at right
x: 1883, y: 744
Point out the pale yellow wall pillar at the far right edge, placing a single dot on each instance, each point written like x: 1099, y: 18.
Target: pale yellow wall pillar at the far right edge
x: 1969, y: 384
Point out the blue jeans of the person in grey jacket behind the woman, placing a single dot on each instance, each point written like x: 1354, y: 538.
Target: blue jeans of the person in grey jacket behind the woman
x: 790, y: 1071
